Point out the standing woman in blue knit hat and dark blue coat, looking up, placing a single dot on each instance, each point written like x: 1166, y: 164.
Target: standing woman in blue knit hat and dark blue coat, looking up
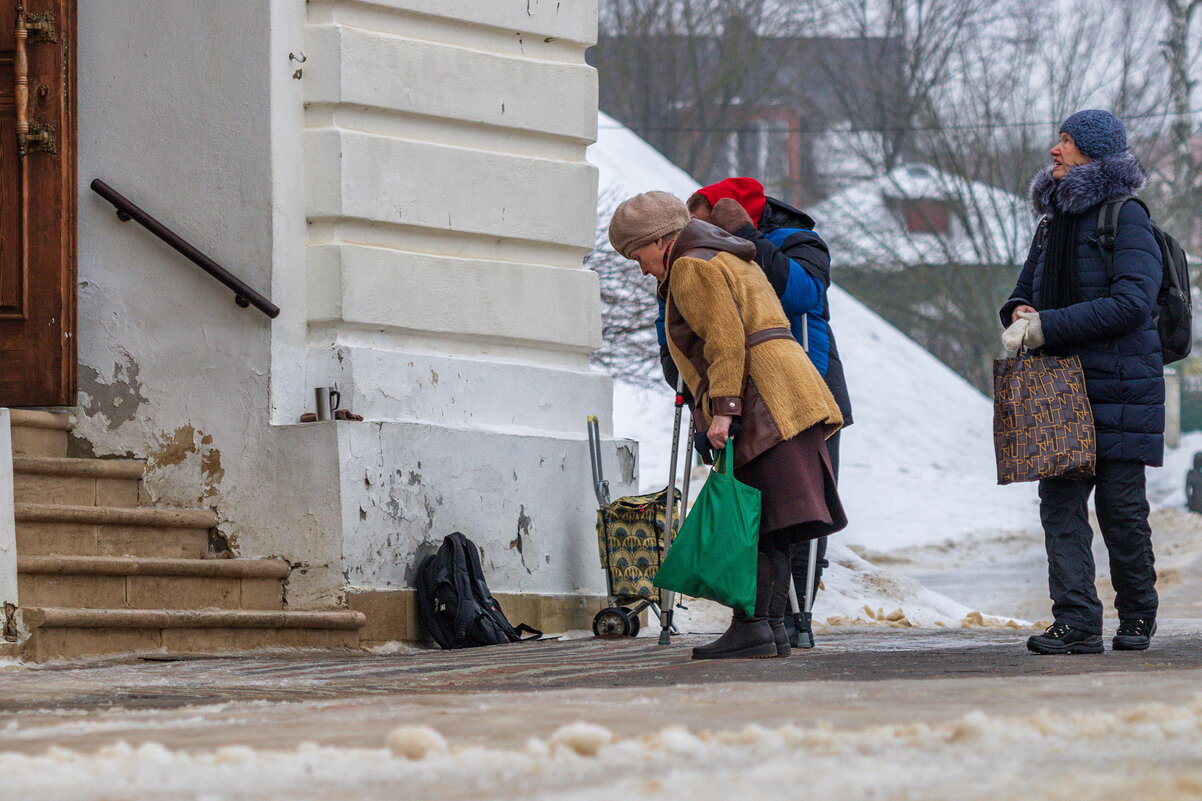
x: 1069, y: 302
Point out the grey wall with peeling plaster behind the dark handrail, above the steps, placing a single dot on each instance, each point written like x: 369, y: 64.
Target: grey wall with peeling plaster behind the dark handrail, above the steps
x: 191, y: 115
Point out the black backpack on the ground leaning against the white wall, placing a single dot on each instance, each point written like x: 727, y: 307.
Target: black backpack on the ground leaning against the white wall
x: 454, y: 601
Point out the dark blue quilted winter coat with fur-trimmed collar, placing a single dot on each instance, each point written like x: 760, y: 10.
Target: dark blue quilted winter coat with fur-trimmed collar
x: 1112, y: 330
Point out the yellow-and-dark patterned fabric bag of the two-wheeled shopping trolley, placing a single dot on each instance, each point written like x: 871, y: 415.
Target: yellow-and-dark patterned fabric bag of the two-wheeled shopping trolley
x: 630, y: 542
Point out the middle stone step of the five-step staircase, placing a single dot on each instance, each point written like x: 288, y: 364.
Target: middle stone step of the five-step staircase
x: 111, y: 531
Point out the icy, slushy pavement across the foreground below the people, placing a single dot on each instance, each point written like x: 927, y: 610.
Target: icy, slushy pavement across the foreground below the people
x: 880, y: 714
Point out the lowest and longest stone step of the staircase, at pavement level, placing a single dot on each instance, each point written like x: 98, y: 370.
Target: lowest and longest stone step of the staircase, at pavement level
x: 59, y: 633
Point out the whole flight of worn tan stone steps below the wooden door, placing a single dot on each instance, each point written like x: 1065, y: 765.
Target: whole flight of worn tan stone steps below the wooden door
x: 99, y: 574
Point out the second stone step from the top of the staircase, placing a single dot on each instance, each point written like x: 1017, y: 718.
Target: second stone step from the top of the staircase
x: 81, y: 483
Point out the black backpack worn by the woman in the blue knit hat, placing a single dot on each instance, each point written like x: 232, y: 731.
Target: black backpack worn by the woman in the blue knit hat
x: 1175, y: 307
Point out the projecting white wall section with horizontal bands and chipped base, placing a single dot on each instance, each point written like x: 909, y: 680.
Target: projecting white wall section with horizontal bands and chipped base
x: 450, y: 211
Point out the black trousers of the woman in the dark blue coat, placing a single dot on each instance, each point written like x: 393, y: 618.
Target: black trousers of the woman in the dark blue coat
x: 1122, y: 505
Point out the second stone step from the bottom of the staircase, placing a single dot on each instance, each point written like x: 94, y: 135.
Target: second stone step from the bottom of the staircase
x: 130, y: 583
